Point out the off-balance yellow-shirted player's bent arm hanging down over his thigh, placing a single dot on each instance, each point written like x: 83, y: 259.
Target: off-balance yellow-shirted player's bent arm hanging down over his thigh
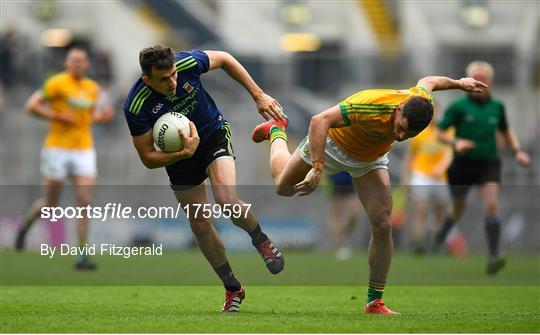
x: 318, y: 130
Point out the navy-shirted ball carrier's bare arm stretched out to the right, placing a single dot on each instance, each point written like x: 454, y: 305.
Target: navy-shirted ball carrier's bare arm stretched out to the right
x: 267, y: 106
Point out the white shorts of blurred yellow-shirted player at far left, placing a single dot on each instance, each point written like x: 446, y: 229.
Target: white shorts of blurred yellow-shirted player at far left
x: 57, y: 164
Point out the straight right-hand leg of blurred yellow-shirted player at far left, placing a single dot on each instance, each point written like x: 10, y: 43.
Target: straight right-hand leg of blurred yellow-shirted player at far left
x: 84, y: 186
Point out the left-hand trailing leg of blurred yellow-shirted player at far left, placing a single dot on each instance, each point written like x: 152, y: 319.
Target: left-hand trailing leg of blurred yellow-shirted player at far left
x: 52, y: 189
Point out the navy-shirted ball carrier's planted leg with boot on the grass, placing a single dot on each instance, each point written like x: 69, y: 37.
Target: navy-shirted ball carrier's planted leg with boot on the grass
x: 212, y: 246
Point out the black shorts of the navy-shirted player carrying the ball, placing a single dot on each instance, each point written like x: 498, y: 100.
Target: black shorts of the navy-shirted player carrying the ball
x: 191, y: 172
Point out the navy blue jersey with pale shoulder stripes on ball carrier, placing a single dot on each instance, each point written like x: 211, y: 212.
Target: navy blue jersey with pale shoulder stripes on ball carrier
x: 144, y: 106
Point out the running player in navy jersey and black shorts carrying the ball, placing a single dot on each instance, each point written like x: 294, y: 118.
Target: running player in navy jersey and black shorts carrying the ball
x: 171, y: 82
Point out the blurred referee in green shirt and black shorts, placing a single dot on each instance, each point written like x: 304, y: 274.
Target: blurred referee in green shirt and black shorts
x: 477, y: 117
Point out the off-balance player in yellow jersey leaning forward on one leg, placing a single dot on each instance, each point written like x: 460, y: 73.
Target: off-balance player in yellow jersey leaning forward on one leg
x: 355, y: 136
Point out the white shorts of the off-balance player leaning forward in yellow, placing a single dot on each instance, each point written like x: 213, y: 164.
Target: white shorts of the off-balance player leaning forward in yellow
x: 336, y: 160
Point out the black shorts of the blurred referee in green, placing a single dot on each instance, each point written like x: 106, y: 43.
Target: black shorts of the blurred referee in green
x: 465, y: 172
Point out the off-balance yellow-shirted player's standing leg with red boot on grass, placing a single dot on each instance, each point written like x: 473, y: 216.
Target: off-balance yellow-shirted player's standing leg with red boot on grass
x: 375, y: 193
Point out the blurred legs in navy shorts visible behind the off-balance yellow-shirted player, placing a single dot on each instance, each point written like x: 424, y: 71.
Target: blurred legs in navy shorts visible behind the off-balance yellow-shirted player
x: 344, y: 212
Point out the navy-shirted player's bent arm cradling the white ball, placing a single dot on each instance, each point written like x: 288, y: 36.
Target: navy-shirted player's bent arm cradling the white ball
x: 153, y: 159
